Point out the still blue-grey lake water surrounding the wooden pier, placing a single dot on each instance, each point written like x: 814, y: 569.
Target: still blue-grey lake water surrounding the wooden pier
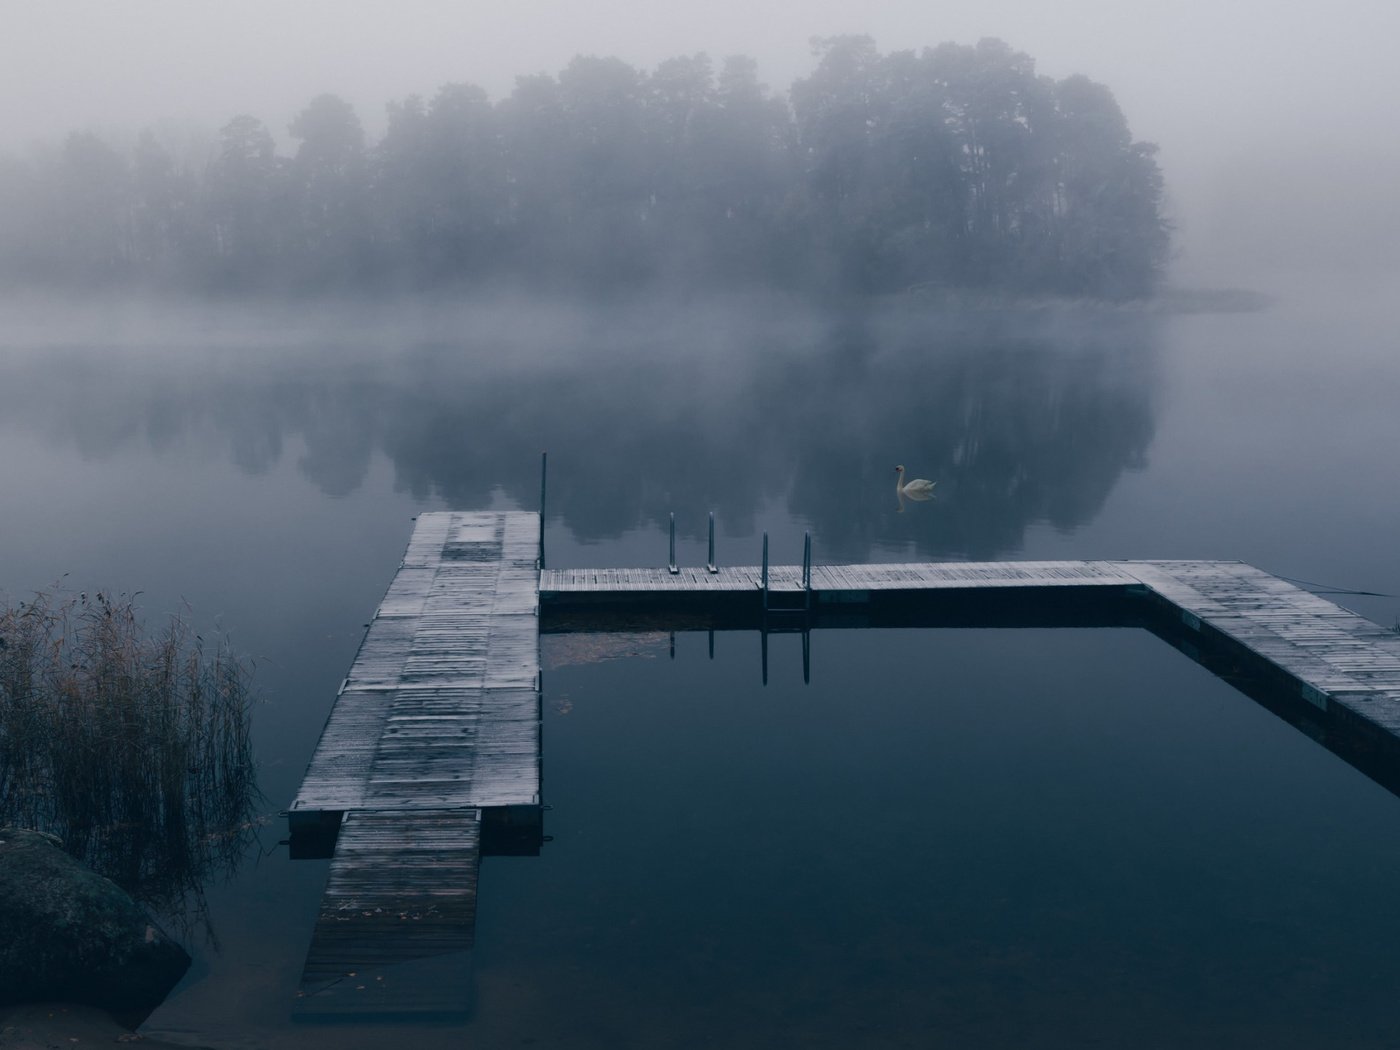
x: 948, y: 838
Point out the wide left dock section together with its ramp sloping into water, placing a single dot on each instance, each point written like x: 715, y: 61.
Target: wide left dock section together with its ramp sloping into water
x: 437, y: 724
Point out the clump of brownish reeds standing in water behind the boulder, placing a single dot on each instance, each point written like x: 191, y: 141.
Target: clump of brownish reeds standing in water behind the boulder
x: 134, y: 747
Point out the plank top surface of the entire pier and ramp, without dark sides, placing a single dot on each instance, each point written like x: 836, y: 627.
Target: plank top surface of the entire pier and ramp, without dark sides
x: 440, y: 716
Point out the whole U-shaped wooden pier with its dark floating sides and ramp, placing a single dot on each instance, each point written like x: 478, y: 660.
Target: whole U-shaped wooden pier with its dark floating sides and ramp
x: 432, y: 755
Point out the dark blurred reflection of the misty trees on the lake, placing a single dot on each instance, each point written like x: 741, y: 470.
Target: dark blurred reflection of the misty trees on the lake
x: 1021, y: 414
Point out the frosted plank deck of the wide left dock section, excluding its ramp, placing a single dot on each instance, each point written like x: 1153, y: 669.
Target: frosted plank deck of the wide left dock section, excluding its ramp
x: 458, y: 628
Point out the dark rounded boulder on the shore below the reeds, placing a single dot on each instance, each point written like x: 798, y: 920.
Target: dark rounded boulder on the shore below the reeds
x: 71, y: 936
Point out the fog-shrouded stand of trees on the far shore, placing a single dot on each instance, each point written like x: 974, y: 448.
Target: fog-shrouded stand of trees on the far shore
x: 955, y: 167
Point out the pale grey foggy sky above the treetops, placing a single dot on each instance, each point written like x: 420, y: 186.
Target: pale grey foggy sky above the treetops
x: 1256, y: 104
